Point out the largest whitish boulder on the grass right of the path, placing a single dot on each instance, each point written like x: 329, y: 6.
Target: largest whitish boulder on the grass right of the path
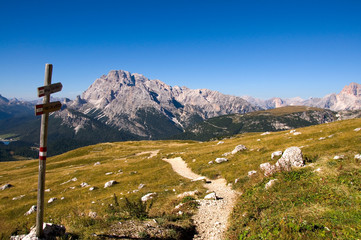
x: 292, y: 157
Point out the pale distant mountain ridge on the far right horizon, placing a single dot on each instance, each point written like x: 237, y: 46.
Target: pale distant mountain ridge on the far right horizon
x: 348, y: 99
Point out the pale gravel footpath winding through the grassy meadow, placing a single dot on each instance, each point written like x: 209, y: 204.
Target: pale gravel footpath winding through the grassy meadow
x: 212, y: 218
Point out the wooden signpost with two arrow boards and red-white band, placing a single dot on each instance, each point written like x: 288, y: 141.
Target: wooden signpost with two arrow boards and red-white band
x: 44, y: 110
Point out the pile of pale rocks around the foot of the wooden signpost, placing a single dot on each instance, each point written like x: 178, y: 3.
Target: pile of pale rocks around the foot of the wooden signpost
x: 51, y: 232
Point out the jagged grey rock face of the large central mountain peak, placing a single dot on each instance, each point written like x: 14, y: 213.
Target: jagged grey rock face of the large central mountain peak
x: 132, y: 102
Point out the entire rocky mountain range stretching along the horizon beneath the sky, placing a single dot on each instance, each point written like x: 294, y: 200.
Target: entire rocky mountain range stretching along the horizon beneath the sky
x: 124, y: 106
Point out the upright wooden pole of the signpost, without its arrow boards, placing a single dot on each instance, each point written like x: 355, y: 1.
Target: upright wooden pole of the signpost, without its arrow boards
x: 42, y: 156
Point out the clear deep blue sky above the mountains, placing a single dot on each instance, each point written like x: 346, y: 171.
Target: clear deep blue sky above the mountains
x: 260, y: 48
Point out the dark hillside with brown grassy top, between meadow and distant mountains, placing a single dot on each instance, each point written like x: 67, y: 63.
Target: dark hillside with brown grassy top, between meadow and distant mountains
x: 283, y: 118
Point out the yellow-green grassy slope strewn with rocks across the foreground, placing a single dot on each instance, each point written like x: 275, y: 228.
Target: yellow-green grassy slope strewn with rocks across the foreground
x: 302, y: 204
